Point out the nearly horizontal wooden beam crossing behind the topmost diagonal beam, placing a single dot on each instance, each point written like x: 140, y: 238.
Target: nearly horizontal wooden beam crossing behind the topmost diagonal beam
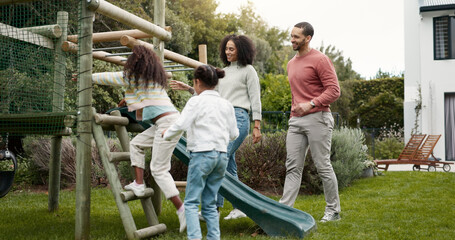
x: 114, y: 35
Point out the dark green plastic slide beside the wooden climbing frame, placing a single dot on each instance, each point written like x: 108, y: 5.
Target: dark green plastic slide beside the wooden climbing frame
x: 273, y: 217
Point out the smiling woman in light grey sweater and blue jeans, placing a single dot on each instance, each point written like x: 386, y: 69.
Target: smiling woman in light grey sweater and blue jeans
x: 241, y: 88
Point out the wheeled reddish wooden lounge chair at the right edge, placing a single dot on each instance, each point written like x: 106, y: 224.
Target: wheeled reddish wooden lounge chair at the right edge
x: 422, y: 156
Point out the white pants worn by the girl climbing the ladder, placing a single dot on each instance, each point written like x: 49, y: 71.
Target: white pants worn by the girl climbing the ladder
x: 162, y: 150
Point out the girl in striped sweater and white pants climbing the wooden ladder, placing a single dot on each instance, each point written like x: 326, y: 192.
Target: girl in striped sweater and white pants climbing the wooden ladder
x: 145, y: 81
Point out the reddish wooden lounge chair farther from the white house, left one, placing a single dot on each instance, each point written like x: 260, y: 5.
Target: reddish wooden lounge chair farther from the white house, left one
x: 407, y: 155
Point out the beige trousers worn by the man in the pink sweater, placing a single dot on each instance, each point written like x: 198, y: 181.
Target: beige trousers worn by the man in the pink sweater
x: 312, y: 131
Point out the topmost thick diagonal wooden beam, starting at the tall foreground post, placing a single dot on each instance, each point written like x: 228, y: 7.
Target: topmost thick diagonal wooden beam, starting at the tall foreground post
x: 129, y: 19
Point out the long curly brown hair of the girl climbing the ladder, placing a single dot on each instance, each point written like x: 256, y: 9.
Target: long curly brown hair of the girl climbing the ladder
x: 145, y: 64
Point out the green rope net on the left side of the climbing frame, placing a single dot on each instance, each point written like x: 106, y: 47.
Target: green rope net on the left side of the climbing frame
x: 33, y: 68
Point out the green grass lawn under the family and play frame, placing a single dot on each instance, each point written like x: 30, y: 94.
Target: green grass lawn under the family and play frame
x: 397, y: 205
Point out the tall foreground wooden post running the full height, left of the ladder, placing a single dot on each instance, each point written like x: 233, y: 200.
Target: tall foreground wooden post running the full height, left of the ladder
x: 84, y: 123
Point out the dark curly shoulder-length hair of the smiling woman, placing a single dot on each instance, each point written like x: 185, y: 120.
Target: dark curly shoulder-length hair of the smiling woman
x: 245, y: 49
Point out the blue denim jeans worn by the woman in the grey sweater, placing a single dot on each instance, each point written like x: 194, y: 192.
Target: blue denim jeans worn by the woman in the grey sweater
x: 243, y: 124
